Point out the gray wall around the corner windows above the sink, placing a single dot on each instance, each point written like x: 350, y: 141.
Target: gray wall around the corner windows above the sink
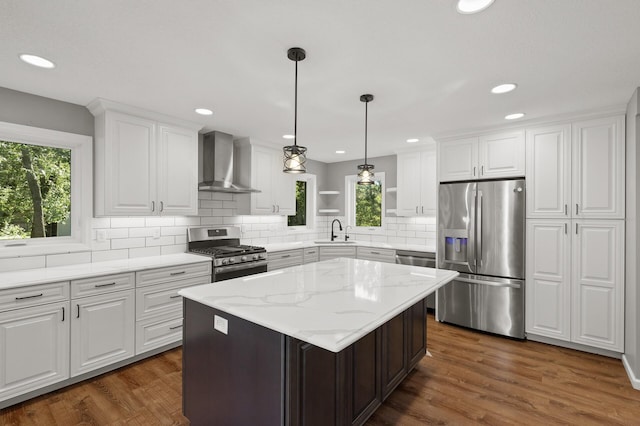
x: 337, y: 171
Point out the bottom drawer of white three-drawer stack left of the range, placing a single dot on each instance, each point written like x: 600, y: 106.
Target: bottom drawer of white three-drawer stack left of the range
x: 159, y: 331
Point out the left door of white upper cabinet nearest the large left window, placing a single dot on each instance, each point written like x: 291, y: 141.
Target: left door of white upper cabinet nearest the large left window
x: 130, y: 165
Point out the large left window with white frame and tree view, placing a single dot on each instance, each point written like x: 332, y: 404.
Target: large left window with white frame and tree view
x: 45, y: 190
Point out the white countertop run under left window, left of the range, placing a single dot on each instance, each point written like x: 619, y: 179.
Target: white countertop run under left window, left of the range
x: 71, y: 272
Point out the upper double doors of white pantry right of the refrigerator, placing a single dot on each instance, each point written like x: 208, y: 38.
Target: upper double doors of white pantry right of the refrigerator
x: 577, y: 170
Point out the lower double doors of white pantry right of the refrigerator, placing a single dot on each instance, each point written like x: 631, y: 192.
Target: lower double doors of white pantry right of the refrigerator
x: 575, y: 281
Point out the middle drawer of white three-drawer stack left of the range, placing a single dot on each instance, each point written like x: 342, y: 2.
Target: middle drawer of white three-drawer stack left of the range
x: 163, y: 298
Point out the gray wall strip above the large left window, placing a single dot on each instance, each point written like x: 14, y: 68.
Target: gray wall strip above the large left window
x: 37, y: 111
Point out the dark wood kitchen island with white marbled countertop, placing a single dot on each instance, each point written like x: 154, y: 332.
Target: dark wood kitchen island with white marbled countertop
x: 323, y: 343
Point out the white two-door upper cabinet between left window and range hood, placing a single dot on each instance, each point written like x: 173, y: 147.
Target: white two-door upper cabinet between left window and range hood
x: 145, y: 164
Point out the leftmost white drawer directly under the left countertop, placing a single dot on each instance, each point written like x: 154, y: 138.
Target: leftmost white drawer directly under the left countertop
x: 21, y: 297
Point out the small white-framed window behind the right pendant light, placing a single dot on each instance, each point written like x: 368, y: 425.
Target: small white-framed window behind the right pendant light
x: 365, y: 203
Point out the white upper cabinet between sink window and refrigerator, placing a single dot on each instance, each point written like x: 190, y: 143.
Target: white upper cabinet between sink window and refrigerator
x: 416, y: 183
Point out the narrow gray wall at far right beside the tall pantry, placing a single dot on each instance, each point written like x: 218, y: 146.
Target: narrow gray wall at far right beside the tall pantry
x: 632, y: 240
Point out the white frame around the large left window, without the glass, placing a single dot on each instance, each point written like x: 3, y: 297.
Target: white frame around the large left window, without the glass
x: 81, y: 190
